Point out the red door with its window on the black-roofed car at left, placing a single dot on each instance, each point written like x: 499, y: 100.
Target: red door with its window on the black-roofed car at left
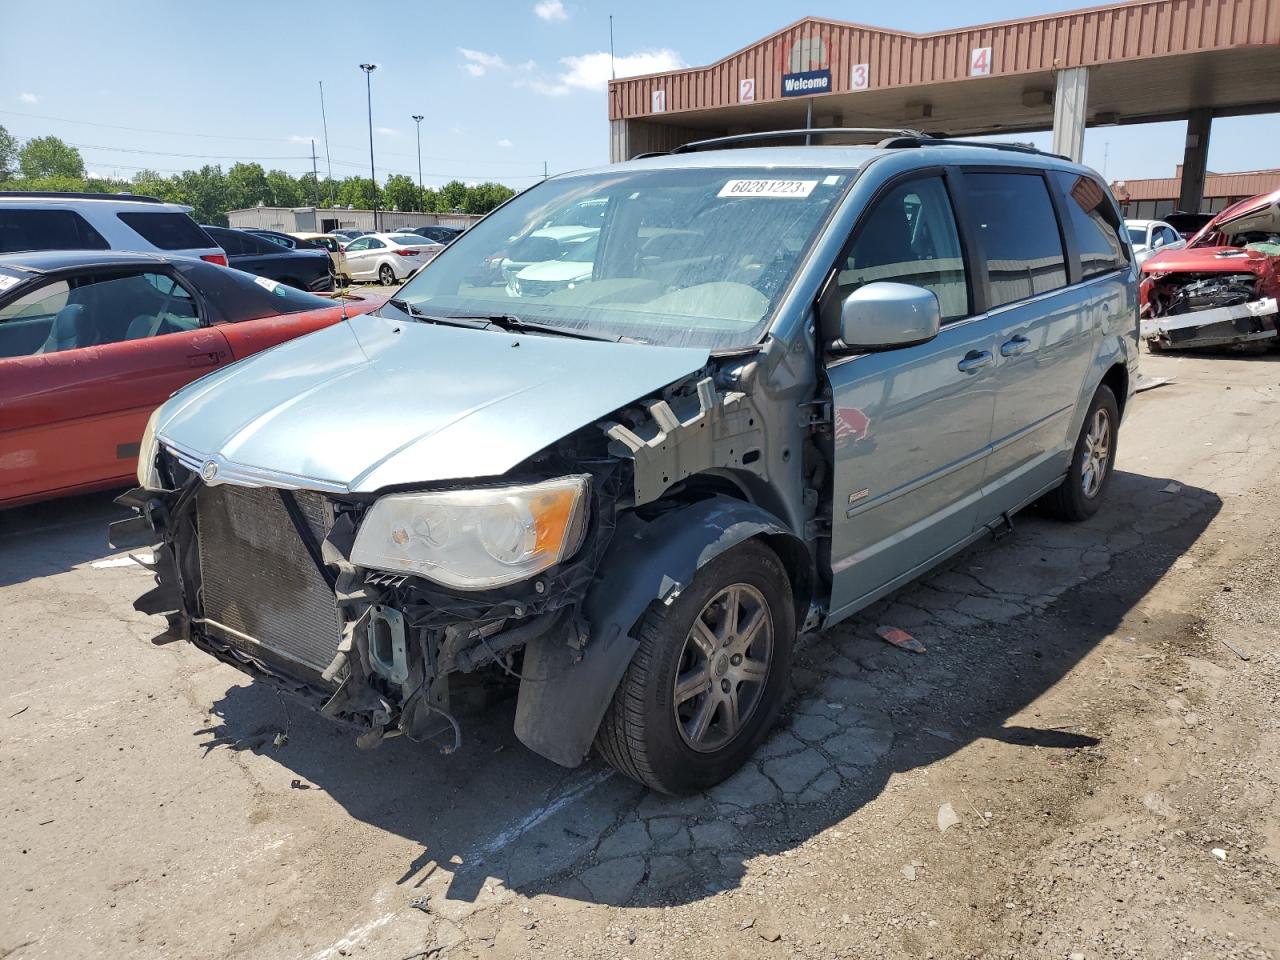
x: 75, y: 401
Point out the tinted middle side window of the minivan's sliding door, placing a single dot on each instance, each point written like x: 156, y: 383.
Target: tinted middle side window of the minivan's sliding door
x: 1016, y: 222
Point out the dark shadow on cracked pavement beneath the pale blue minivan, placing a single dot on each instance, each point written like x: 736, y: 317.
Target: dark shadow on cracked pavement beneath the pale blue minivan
x: 1003, y: 624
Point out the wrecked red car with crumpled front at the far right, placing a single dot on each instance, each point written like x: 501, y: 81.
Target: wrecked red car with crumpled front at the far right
x: 1222, y: 290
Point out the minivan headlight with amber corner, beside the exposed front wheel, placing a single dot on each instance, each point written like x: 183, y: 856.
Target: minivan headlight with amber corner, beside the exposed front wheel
x: 476, y: 540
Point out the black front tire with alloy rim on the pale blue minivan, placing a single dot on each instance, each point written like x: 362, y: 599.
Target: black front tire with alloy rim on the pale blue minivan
x: 653, y: 737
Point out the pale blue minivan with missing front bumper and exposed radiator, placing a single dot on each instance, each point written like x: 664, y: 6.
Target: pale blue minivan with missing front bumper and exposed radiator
x: 780, y: 383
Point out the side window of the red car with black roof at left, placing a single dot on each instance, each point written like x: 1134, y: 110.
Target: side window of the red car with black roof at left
x: 94, y: 312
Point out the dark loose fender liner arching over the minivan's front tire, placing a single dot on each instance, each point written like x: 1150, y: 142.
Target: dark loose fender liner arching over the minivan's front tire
x: 565, y: 692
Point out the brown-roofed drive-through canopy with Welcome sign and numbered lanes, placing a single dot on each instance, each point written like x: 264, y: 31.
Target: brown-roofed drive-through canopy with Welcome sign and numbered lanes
x: 1141, y: 62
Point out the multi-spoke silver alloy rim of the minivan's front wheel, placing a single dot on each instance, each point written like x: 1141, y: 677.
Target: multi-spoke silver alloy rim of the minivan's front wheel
x: 724, y: 668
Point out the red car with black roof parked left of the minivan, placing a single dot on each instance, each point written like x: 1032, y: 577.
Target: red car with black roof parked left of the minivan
x: 93, y: 342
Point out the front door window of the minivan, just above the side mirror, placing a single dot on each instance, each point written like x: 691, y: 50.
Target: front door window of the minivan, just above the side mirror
x: 911, y: 236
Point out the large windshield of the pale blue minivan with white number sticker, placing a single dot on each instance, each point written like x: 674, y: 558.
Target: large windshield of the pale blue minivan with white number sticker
x: 678, y: 258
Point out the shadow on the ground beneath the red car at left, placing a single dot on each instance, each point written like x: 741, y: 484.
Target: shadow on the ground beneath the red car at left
x: 57, y: 536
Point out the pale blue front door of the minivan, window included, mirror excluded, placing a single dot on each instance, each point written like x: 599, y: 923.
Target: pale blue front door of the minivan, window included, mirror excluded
x: 912, y: 427
